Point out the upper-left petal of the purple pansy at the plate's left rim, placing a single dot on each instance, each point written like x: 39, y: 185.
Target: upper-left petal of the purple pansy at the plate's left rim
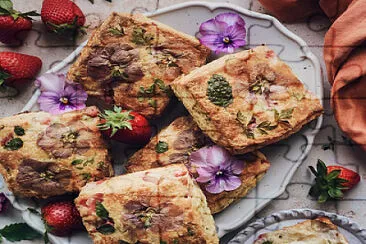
x: 51, y: 82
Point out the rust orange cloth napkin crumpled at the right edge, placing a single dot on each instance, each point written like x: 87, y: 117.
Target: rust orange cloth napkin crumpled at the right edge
x: 344, y: 55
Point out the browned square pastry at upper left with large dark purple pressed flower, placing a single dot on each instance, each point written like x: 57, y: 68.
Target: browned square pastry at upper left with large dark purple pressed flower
x: 130, y: 61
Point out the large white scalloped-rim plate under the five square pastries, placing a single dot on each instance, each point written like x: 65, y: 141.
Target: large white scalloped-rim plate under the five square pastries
x: 285, y: 156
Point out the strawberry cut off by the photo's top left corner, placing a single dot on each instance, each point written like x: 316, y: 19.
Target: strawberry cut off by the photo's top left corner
x: 12, y: 22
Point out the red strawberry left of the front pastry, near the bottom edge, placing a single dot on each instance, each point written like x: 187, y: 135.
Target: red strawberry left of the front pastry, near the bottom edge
x: 61, y: 218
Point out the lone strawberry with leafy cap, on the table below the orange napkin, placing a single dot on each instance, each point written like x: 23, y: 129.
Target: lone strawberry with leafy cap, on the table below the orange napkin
x: 332, y: 181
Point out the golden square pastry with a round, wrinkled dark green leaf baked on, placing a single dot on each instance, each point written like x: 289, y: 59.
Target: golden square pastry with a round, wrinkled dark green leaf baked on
x: 247, y: 100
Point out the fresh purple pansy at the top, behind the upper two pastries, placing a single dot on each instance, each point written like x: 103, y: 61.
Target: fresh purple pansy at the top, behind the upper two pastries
x: 223, y: 33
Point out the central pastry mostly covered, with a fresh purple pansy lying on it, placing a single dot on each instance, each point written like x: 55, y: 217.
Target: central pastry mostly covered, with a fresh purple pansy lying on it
x: 174, y: 144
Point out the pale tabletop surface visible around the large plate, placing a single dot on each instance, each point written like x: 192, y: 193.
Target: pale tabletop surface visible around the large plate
x: 52, y: 50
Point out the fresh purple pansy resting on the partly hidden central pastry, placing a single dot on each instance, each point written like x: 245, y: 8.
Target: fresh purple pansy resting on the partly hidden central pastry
x: 218, y: 168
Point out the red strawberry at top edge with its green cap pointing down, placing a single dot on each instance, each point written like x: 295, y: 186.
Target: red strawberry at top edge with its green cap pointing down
x: 62, y: 16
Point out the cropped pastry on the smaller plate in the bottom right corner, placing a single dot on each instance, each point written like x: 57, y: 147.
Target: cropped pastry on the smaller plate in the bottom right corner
x: 317, y: 231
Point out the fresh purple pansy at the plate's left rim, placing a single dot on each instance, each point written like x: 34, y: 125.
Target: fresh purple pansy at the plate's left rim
x: 60, y: 95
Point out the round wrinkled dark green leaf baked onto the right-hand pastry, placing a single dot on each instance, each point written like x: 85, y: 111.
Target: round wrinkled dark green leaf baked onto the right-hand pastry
x: 219, y: 91
